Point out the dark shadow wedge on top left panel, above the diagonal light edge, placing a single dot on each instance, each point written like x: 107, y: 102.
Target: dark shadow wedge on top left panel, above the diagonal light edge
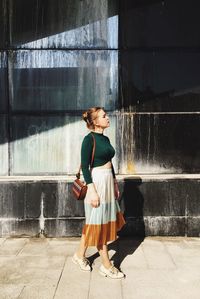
x: 32, y: 20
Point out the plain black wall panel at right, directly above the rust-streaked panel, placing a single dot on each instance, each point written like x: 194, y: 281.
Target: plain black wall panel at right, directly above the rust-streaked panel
x: 155, y: 81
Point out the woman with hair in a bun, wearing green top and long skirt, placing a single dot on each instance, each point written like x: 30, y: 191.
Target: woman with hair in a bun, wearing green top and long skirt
x: 102, y: 211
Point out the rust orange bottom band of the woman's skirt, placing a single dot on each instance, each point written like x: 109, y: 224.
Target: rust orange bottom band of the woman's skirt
x: 96, y: 235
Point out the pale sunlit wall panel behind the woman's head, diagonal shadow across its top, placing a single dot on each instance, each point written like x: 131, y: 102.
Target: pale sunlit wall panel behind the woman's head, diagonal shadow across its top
x: 48, y: 145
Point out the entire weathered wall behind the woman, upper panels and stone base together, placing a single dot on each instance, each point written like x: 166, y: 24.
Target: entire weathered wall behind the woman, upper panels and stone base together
x: 138, y: 59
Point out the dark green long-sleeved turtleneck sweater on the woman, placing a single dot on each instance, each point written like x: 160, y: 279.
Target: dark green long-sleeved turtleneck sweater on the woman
x: 104, y: 152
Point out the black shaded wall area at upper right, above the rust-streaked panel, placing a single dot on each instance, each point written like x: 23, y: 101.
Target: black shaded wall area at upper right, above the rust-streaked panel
x: 153, y: 79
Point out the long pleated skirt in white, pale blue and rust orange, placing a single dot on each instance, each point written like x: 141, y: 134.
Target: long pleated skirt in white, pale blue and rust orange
x: 103, y: 222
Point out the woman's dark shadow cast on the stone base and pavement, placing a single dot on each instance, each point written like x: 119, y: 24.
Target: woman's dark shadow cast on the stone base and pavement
x: 132, y: 233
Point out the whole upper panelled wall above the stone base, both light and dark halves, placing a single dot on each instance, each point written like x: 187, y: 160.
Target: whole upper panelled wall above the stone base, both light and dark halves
x: 58, y: 58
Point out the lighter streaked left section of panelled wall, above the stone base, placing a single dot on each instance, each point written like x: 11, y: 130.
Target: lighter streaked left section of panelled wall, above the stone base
x: 57, y: 58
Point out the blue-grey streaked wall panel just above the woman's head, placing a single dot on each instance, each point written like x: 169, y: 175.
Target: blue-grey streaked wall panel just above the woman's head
x: 63, y: 80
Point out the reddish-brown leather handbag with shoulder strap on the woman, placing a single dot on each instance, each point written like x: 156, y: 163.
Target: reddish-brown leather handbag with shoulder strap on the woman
x: 79, y: 188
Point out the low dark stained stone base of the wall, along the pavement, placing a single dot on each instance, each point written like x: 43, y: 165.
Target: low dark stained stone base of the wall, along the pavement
x: 165, y: 205
